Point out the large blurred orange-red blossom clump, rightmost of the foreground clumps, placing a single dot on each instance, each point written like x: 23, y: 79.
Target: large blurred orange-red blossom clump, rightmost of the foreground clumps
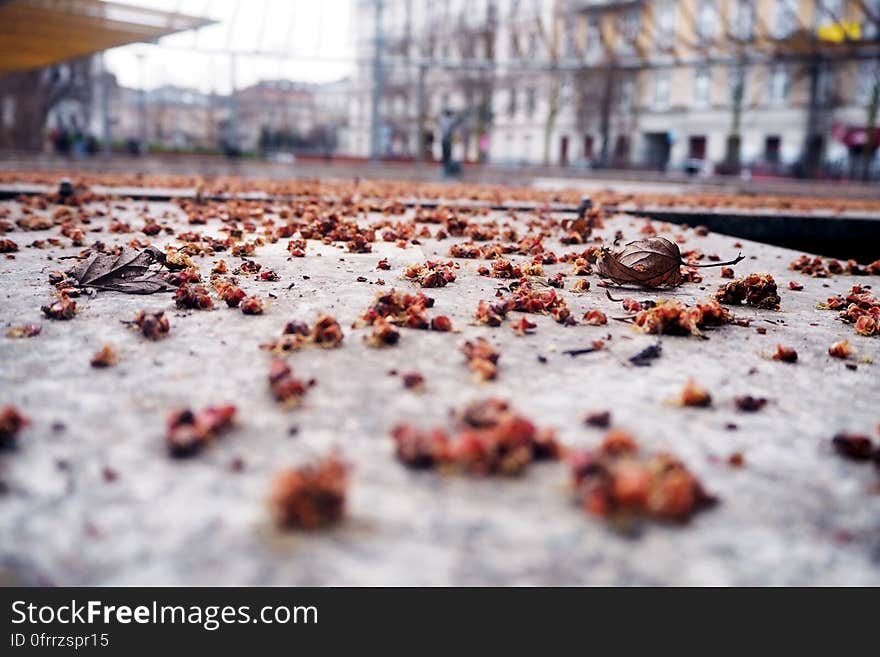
x: 613, y: 480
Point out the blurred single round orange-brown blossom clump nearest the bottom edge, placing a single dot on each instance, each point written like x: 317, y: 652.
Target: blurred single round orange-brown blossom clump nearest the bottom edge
x: 310, y: 496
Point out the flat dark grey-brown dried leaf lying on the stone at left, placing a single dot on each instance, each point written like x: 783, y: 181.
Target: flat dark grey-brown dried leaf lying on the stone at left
x: 129, y: 272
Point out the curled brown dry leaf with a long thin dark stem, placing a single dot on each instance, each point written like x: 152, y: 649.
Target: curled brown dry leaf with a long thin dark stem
x: 651, y: 262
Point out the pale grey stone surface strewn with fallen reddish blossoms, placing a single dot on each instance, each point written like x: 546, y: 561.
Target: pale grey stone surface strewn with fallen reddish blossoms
x: 794, y: 514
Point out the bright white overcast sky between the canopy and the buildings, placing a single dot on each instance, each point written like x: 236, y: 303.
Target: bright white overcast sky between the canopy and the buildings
x: 313, y: 33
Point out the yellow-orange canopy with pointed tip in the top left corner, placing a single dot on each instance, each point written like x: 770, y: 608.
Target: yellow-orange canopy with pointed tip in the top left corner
x: 36, y: 33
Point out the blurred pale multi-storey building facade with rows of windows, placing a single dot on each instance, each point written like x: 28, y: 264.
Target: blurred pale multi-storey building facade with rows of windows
x: 781, y: 85
